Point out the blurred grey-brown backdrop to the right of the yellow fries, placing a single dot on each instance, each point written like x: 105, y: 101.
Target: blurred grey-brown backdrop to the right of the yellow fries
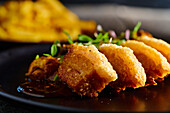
x: 122, y: 14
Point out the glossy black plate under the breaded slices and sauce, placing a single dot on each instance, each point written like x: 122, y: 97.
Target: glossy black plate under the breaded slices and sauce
x: 14, y: 64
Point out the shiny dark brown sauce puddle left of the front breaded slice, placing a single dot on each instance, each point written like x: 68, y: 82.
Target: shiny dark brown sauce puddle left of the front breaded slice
x: 45, y: 88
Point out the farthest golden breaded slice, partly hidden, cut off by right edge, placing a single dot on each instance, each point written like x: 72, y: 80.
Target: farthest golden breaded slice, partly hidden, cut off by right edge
x: 160, y: 45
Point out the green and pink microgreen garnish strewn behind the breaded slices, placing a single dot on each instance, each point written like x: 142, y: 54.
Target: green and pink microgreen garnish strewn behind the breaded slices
x: 100, y: 38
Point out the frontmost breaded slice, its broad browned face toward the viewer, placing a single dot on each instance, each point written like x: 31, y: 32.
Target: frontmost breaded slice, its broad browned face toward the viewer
x: 86, y: 70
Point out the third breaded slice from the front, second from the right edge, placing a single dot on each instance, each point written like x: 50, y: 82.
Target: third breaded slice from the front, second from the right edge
x: 154, y: 63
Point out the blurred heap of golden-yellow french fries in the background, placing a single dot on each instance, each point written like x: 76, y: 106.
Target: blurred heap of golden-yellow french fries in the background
x: 40, y: 21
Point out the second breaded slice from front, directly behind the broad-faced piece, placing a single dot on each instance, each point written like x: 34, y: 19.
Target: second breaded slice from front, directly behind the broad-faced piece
x: 129, y: 69
